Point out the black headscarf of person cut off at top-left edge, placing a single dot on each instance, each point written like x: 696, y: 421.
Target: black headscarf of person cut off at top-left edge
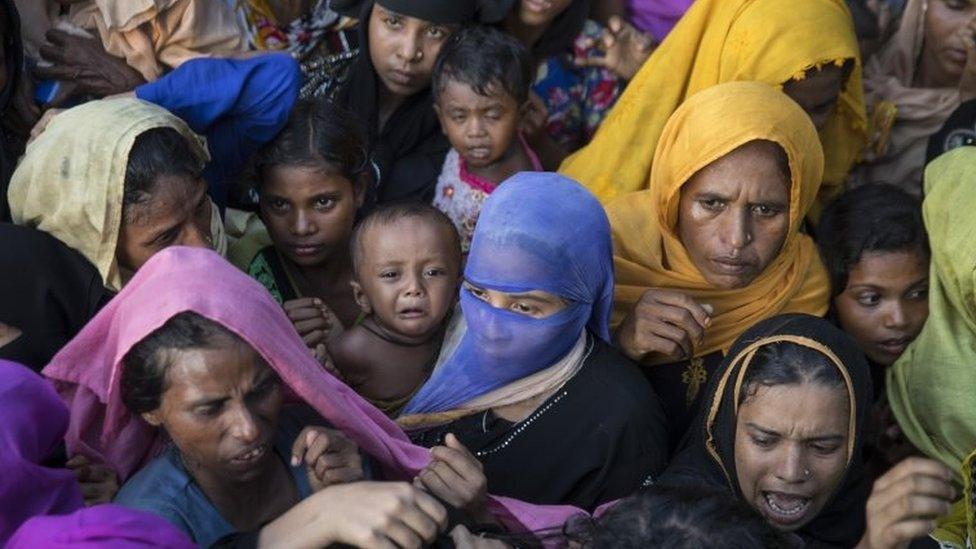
x: 14, y: 58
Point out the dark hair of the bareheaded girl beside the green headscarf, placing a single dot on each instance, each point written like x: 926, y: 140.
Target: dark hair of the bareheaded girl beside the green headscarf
x: 870, y: 218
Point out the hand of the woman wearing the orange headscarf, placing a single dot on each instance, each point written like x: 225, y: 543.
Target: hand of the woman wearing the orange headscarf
x: 664, y: 326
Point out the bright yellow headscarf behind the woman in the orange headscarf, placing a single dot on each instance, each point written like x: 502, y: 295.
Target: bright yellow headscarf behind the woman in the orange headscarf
x: 771, y: 41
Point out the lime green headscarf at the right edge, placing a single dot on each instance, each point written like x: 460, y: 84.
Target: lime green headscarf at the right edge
x: 932, y: 387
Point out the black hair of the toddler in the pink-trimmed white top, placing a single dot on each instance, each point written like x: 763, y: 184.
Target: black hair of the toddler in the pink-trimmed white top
x: 487, y: 60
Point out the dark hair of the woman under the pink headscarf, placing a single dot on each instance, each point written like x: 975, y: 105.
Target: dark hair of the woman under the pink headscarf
x: 144, y: 367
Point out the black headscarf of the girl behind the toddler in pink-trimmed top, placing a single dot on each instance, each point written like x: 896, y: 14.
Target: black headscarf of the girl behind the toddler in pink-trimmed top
x: 409, y: 151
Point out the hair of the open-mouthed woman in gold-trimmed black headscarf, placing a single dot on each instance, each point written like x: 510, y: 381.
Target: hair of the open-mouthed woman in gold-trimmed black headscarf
x: 786, y: 363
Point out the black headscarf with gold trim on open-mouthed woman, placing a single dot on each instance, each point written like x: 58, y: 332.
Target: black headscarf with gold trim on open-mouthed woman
x: 708, y: 457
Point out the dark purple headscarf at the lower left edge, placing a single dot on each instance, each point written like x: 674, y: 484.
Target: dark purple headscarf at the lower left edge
x: 32, y: 422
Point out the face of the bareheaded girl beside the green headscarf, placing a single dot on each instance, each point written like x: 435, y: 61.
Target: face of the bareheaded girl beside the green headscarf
x: 885, y: 303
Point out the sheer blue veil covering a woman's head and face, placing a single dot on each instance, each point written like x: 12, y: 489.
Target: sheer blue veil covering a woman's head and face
x: 537, y: 231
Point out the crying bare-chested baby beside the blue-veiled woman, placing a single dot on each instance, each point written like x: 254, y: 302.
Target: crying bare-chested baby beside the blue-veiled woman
x: 407, y: 263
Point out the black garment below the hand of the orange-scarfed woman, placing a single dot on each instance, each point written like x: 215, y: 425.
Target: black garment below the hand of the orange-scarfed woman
x: 681, y: 386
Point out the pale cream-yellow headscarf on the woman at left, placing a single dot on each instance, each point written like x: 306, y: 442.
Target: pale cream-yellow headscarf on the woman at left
x: 71, y: 180
